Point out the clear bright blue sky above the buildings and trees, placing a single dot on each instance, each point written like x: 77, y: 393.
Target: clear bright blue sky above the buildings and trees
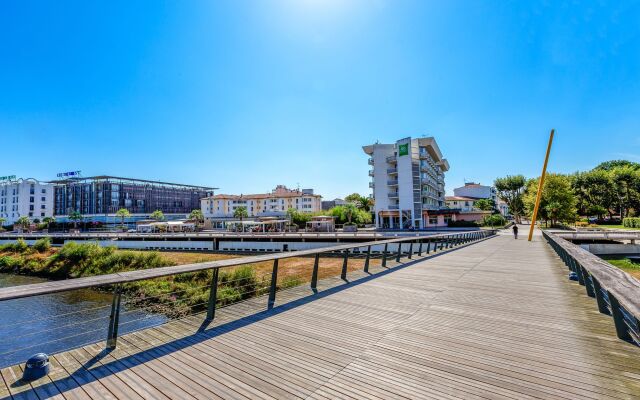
x: 244, y: 95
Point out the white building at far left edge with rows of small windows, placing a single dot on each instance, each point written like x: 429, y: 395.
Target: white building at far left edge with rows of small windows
x: 25, y: 197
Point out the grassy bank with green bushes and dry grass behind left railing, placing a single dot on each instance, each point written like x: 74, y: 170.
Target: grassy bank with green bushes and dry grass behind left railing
x: 174, y: 295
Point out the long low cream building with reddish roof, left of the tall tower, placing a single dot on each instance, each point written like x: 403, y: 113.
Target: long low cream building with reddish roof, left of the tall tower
x: 221, y: 207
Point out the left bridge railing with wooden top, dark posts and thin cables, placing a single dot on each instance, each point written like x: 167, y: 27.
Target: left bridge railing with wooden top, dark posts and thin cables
x: 396, y: 248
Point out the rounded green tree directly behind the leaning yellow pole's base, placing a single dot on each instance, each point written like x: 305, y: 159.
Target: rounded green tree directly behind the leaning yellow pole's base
x: 558, y: 202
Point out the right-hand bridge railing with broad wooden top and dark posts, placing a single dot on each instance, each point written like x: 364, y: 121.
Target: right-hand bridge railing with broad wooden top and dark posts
x: 617, y: 293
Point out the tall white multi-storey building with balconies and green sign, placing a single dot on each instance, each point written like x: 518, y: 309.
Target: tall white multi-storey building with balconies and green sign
x: 408, y: 183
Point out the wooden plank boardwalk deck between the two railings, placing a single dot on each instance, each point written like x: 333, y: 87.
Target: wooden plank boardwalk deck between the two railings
x: 495, y: 319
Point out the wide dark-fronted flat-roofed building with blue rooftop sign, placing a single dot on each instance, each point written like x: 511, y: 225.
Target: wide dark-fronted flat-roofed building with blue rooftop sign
x: 98, y: 198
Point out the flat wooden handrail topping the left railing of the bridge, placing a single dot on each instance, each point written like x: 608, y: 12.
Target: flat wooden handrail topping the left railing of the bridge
x: 49, y: 287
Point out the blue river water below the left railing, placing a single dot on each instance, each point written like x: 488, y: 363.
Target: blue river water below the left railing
x: 57, y: 322
